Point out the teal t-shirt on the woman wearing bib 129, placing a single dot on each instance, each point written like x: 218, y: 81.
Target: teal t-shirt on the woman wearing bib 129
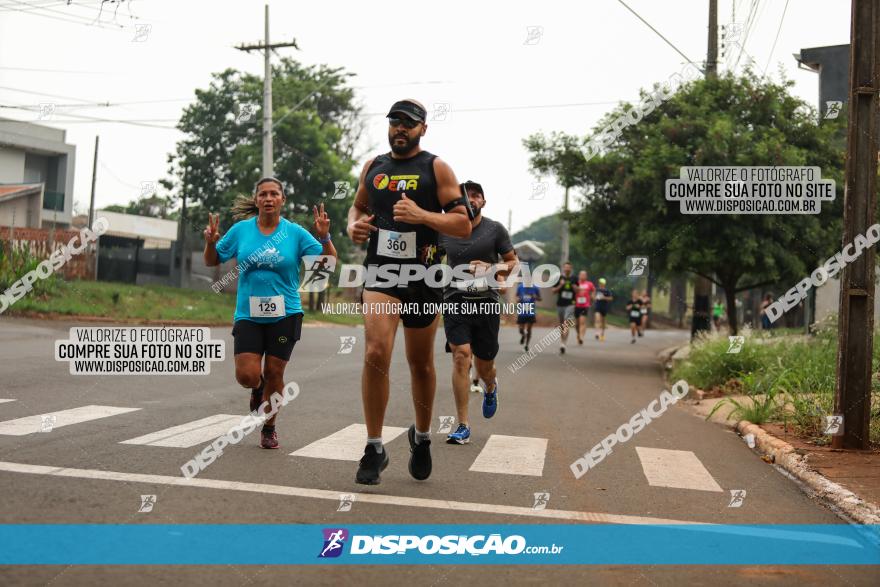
x: 268, y: 265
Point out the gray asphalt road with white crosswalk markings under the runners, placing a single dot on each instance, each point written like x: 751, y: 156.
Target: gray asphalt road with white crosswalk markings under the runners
x: 561, y: 405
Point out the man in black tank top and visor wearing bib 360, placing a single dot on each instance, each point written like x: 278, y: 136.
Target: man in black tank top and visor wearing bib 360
x: 399, y: 212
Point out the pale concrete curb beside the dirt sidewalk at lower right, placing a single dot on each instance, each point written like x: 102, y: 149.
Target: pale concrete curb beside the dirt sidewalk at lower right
x: 784, y: 455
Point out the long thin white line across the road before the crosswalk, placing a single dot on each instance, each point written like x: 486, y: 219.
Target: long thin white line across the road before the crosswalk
x: 360, y: 498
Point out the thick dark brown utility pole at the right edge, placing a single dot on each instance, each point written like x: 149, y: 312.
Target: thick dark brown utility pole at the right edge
x: 852, y: 398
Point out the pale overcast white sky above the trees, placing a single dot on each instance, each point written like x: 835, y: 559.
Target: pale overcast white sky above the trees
x: 500, y: 81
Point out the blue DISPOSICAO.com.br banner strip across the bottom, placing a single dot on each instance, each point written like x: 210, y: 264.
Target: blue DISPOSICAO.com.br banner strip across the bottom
x: 203, y: 544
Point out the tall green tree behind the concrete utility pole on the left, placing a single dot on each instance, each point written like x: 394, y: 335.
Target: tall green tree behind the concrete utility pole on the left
x: 316, y: 127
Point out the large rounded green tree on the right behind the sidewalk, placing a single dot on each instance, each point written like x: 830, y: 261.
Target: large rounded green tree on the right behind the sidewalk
x: 737, y: 121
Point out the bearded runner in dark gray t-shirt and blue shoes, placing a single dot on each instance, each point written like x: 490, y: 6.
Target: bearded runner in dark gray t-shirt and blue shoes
x: 472, y: 328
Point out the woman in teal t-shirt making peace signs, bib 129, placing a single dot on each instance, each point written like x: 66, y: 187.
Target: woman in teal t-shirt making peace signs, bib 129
x: 268, y: 313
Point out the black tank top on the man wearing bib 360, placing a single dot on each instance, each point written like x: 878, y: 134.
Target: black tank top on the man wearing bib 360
x: 386, y: 179
